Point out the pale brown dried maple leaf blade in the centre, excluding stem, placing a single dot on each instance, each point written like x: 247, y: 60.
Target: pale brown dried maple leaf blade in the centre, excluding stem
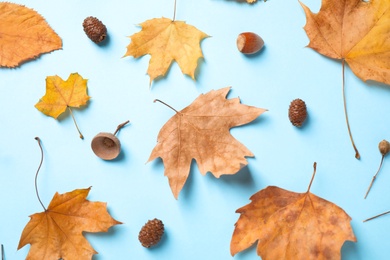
x: 201, y: 132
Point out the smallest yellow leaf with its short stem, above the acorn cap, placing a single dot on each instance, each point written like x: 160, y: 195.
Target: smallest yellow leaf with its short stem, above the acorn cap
x: 61, y: 95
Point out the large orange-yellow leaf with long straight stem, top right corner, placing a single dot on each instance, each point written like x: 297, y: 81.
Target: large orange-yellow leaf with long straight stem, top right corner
x: 357, y: 33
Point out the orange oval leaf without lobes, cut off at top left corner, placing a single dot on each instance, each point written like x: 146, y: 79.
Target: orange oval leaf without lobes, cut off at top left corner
x: 24, y: 35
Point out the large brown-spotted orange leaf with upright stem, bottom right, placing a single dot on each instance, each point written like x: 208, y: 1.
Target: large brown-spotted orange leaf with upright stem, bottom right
x: 291, y: 225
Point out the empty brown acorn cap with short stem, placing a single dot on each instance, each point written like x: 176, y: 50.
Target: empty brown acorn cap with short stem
x: 106, y: 145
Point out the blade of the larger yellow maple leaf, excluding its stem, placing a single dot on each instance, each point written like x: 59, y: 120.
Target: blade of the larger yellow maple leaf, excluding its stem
x: 166, y: 40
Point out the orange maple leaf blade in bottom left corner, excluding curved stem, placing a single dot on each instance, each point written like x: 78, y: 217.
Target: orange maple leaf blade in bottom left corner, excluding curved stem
x: 56, y: 233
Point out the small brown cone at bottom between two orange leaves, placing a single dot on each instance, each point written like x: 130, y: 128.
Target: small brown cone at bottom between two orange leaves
x: 151, y: 233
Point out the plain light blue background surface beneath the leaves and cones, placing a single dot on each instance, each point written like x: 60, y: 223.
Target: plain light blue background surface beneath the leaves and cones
x: 199, y: 225
